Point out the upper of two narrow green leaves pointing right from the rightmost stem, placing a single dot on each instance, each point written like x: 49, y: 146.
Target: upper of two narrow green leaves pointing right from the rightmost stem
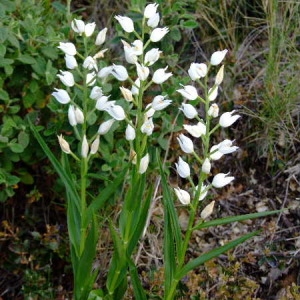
x: 232, y: 219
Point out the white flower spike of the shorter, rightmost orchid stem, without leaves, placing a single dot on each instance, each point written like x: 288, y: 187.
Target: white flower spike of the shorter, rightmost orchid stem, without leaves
x: 203, y: 131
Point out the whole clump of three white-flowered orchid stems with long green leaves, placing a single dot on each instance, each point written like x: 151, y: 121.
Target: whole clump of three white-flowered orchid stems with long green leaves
x: 85, y: 102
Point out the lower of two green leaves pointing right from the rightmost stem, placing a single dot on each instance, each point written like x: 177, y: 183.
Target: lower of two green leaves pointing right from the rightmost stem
x: 212, y: 254
